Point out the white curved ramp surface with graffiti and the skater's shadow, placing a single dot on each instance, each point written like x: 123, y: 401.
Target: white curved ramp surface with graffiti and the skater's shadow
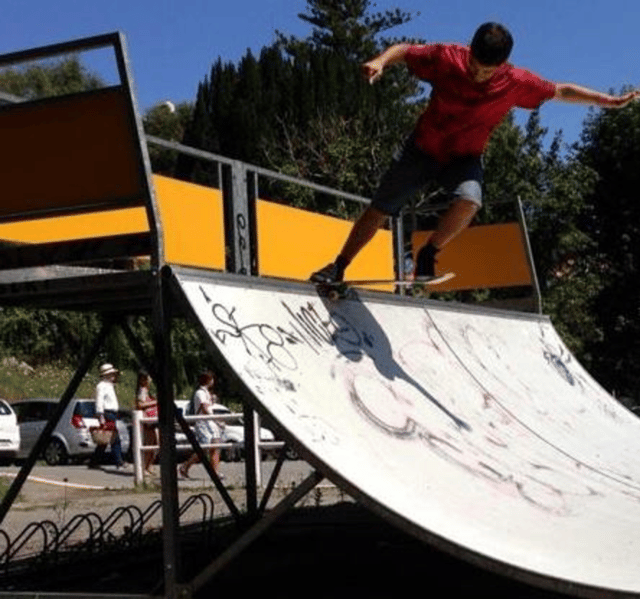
x: 476, y: 431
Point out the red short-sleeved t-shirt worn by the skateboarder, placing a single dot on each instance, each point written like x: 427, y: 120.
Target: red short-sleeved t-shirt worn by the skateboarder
x: 462, y: 114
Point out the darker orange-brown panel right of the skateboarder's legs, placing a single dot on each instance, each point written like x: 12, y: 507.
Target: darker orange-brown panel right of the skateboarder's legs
x: 483, y: 257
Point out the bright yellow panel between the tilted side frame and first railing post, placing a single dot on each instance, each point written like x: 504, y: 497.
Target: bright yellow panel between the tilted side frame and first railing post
x: 192, y: 222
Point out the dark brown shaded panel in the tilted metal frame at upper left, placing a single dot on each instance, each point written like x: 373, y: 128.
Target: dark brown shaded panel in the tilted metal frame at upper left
x: 68, y: 152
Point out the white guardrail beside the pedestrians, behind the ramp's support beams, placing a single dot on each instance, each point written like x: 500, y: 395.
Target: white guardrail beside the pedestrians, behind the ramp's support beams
x: 138, y: 448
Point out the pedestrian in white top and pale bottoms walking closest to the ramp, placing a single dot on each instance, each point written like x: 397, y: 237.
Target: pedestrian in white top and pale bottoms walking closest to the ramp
x: 207, y: 431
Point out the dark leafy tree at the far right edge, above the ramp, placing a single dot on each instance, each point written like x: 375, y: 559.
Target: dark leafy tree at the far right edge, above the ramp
x: 611, y: 146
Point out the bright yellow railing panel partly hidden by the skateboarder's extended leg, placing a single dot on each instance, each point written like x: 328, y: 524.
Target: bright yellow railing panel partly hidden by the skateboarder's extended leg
x: 293, y: 243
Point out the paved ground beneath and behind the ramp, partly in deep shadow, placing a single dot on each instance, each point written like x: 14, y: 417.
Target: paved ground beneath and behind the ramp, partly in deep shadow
x: 355, y: 553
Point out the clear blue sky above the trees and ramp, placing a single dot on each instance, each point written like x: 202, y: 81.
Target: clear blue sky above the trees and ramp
x: 173, y: 44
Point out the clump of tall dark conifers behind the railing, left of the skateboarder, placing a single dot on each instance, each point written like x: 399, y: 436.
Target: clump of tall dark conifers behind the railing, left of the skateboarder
x: 303, y: 108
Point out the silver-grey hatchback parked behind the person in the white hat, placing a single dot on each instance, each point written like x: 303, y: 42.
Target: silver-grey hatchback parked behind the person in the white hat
x: 71, y: 438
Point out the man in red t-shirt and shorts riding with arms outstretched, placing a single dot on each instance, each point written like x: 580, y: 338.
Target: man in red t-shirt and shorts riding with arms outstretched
x: 473, y: 89
